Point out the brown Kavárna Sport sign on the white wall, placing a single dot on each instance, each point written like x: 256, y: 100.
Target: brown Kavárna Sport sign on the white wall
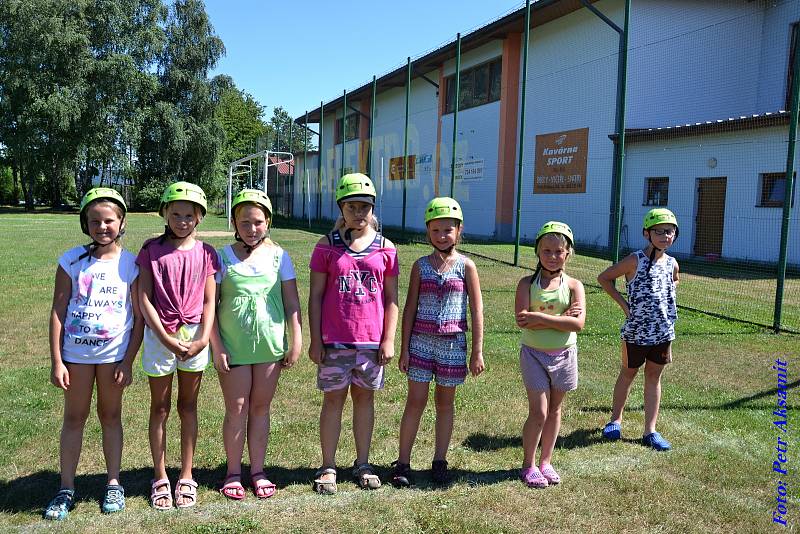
x: 561, y: 162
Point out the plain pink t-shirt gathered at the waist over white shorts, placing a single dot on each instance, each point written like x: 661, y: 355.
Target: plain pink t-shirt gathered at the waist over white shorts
x: 179, y: 280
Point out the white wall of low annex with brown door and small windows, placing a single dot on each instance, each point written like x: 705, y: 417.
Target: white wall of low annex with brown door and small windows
x: 750, y: 232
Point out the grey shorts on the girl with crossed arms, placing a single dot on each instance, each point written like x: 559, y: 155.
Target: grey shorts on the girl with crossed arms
x: 542, y: 371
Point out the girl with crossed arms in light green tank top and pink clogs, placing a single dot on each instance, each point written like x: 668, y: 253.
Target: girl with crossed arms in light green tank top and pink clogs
x: 550, y: 309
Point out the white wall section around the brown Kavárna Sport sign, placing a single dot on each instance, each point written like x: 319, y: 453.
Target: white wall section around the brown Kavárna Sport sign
x: 572, y: 84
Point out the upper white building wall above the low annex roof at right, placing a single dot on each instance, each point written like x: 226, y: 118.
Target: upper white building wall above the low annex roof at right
x: 693, y: 61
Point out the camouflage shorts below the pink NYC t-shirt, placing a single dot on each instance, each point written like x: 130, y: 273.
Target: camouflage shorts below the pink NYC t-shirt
x: 342, y: 367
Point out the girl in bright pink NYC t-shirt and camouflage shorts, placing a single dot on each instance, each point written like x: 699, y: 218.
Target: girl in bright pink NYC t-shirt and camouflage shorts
x: 354, y: 287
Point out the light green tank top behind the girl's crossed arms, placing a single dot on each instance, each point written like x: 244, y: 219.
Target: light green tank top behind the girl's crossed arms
x: 551, y: 302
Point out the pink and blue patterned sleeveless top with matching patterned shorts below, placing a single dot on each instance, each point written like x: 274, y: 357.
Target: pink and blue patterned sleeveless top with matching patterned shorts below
x: 442, y: 302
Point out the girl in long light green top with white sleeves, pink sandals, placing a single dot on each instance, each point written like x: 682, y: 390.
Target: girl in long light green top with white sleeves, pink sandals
x: 256, y: 335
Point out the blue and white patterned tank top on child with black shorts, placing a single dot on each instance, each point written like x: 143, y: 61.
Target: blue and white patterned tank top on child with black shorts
x: 651, y: 299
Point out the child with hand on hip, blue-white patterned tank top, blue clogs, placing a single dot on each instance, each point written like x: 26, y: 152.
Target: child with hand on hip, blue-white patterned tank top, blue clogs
x: 649, y: 327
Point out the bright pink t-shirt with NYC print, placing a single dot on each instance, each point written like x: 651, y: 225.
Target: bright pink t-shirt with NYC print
x: 352, y: 305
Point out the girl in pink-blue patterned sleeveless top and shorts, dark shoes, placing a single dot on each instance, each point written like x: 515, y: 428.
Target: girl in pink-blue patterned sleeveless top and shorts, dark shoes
x: 434, y: 341
